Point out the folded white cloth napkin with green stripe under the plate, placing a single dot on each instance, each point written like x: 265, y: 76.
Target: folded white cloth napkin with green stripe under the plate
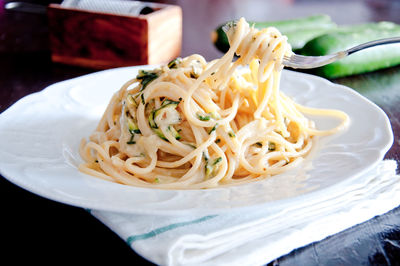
x: 256, y: 237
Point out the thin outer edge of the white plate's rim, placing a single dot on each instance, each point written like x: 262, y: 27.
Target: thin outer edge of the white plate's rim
x: 275, y: 204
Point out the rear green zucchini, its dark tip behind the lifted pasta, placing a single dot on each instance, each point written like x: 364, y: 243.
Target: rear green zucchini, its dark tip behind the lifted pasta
x: 298, y: 31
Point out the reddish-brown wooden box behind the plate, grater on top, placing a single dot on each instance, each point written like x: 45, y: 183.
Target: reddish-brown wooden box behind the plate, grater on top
x: 102, y: 40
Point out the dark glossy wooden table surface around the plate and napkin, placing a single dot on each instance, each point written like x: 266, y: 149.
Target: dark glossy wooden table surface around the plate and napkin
x: 34, y: 229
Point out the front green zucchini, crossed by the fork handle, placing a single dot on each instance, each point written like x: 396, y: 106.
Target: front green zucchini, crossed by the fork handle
x: 346, y: 37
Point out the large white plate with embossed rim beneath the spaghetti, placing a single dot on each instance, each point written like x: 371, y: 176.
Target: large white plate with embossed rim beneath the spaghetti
x: 40, y: 135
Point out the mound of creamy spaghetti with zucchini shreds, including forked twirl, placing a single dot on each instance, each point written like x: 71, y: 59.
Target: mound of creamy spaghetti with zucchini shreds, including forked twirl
x: 197, y: 124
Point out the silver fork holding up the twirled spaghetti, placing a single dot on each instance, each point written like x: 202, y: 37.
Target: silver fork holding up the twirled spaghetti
x: 304, y: 62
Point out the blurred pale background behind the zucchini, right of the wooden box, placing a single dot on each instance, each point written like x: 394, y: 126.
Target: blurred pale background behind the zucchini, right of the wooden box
x: 196, y: 34
